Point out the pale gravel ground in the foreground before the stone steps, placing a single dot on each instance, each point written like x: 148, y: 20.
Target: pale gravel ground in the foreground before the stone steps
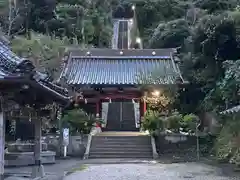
x: 151, y: 171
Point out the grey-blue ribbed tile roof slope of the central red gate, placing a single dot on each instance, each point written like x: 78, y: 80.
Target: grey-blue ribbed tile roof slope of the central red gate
x: 126, y: 70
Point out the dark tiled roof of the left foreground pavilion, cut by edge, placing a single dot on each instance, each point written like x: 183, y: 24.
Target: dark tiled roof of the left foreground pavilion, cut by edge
x: 14, y: 68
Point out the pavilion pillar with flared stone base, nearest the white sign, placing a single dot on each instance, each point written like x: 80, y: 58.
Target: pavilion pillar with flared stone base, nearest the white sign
x: 38, y: 170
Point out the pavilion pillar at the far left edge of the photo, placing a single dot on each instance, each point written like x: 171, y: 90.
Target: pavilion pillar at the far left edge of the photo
x: 2, y: 138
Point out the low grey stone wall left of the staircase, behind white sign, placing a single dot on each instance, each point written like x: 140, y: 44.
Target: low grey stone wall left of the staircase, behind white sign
x: 77, y: 144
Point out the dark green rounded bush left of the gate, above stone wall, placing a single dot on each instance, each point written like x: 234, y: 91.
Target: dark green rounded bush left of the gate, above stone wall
x: 78, y: 121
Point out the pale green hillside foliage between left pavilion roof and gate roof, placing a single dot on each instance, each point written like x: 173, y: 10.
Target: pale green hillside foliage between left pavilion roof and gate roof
x: 44, y: 51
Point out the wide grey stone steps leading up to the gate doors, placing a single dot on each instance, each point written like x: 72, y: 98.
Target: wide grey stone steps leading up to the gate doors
x: 121, y: 145
